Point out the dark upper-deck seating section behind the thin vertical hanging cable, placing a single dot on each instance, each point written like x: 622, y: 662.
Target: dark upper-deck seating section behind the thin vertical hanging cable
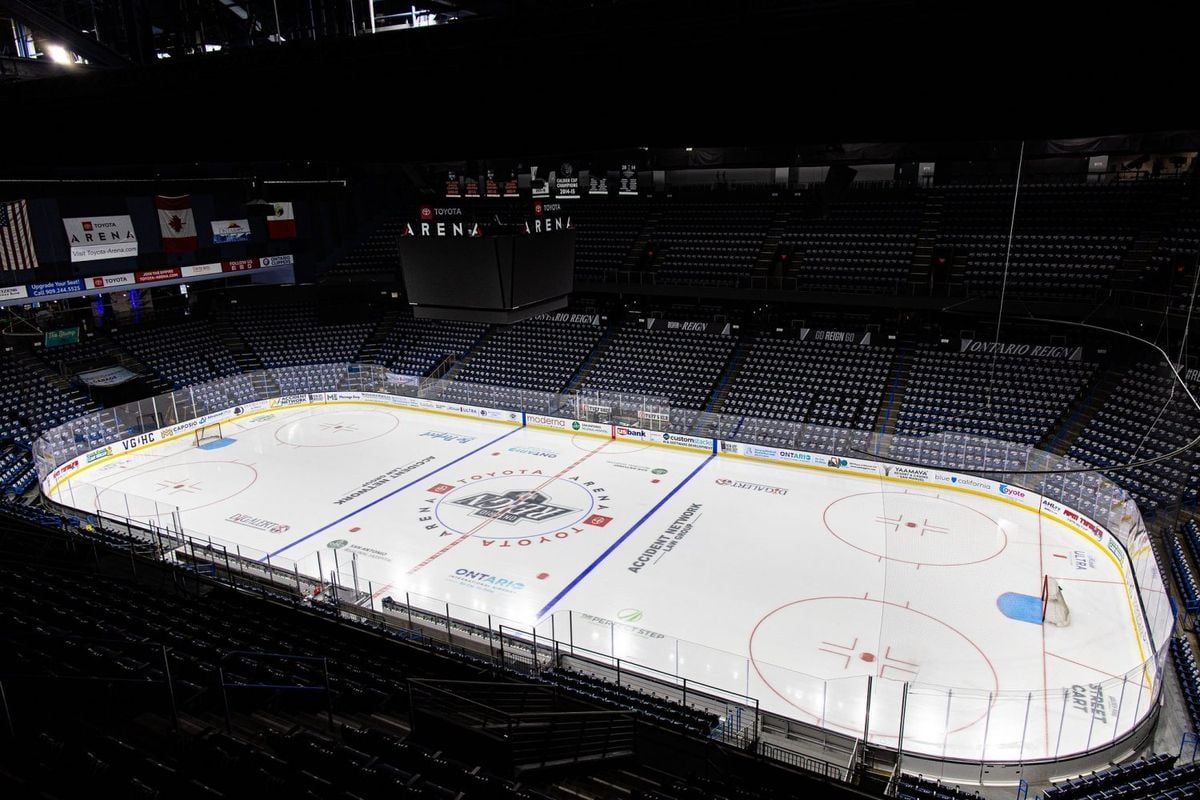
x: 1069, y: 238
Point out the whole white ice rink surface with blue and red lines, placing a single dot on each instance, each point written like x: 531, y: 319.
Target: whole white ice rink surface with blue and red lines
x: 794, y: 586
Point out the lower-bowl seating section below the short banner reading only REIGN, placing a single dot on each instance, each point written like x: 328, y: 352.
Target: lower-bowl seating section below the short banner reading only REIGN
x: 680, y: 366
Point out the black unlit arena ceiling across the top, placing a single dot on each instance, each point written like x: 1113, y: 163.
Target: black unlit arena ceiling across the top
x: 515, y: 79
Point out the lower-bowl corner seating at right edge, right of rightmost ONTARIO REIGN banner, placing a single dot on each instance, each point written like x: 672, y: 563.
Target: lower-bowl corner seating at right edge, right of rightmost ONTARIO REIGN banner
x: 1142, y: 417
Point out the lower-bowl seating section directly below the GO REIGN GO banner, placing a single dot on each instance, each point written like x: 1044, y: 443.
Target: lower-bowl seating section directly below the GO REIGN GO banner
x: 831, y: 384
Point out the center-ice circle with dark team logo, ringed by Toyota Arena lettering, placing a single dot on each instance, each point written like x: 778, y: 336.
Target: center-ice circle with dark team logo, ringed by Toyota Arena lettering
x: 515, y: 507
